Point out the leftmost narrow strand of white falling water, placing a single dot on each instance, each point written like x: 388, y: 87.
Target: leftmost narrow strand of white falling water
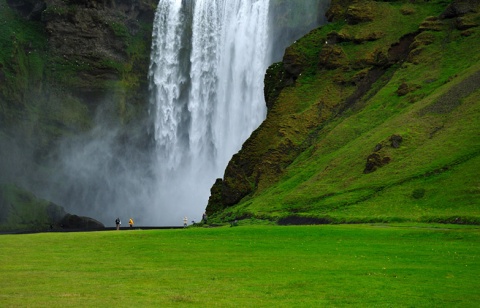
x: 167, y: 80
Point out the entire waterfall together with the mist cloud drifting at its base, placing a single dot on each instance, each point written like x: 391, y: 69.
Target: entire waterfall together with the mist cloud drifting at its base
x: 208, y: 61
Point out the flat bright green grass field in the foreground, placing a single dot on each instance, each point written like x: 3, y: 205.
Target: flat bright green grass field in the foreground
x: 245, y: 266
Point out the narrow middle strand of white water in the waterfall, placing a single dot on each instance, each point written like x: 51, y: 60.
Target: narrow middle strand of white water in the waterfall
x: 205, y: 54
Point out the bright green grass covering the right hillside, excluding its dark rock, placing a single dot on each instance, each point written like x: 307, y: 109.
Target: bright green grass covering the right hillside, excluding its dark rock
x: 432, y: 176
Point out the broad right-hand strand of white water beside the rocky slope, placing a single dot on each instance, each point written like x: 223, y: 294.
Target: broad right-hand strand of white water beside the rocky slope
x: 244, y: 59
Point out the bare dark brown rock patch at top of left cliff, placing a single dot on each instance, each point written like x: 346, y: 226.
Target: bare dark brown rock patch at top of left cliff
x: 92, y: 29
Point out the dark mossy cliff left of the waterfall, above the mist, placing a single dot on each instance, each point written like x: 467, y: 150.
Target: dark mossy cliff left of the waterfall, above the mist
x: 75, y: 53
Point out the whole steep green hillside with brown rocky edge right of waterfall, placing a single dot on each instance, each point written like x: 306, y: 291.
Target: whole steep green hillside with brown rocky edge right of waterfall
x: 370, y: 118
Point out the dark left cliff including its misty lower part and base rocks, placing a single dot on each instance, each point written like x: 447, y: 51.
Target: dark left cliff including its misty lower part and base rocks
x: 59, y: 62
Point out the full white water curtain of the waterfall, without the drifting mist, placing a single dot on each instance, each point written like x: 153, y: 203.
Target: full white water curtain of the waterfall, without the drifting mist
x: 204, y: 114
